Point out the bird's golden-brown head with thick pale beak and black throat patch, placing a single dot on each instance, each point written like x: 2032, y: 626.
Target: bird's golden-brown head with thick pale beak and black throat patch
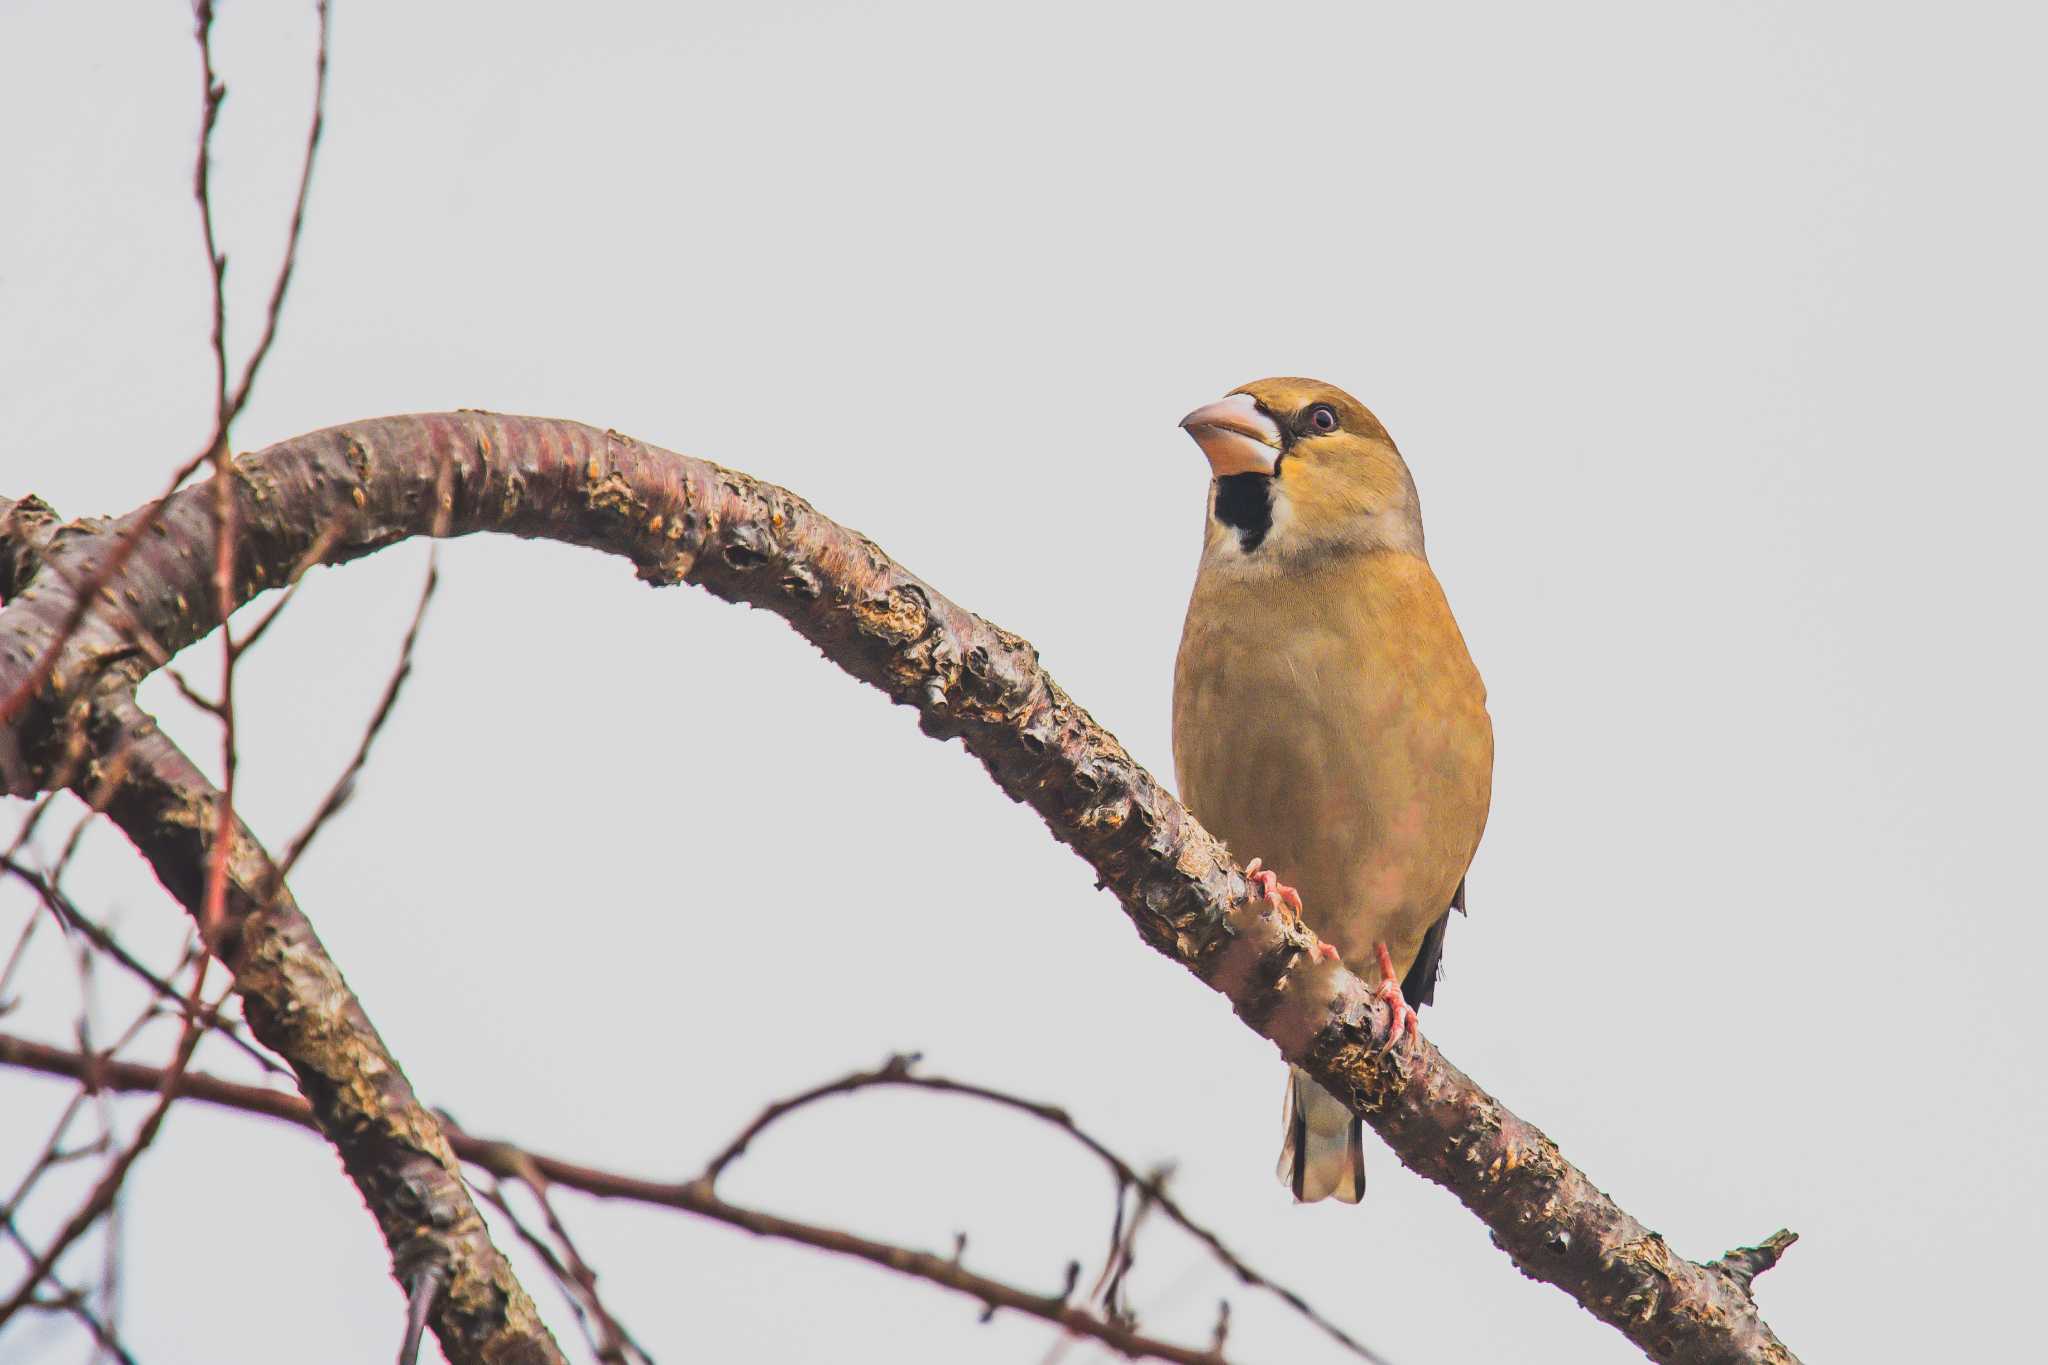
x: 1302, y: 472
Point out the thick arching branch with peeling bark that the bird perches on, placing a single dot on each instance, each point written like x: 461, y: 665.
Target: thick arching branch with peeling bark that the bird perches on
x: 689, y: 521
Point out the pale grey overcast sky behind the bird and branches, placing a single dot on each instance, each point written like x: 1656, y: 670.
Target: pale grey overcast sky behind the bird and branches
x: 1715, y: 345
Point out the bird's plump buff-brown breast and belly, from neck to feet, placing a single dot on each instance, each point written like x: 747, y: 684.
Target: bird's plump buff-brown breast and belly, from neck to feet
x: 1334, y: 725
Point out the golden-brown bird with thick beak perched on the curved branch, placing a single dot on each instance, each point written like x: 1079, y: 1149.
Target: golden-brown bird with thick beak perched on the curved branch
x: 1328, y: 717
